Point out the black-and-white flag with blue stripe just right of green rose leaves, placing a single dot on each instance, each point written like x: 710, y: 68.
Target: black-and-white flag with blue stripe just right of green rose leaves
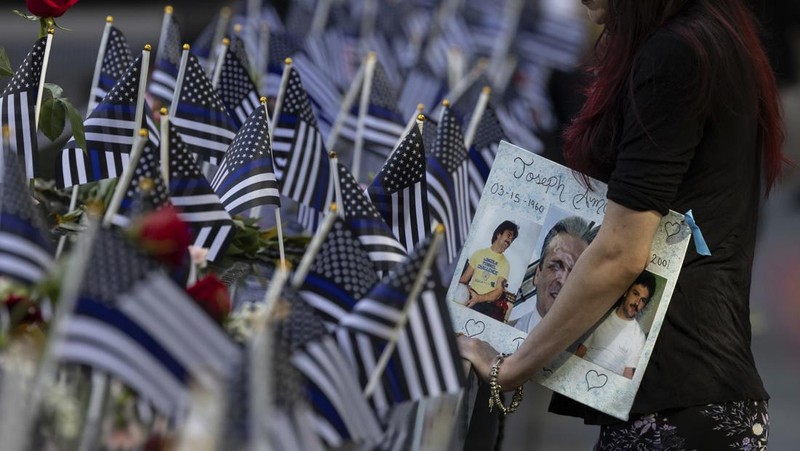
x: 110, y: 130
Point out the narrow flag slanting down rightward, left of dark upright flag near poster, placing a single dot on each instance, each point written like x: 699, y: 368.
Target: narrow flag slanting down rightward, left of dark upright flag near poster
x: 377, y: 238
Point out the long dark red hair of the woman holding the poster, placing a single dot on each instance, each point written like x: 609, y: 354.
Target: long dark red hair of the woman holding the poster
x: 590, y: 139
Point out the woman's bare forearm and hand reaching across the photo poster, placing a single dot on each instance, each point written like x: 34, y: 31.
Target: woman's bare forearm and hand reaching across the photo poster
x: 605, y: 269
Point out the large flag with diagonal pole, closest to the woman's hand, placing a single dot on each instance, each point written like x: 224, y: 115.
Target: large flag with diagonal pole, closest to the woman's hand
x: 425, y: 361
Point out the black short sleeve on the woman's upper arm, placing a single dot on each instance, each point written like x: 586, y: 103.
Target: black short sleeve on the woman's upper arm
x: 661, y: 127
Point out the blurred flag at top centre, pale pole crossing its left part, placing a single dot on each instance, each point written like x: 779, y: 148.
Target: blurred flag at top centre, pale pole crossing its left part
x: 383, y: 125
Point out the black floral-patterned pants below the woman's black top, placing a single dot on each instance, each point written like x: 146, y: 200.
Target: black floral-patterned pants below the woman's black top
x: 740, y: 425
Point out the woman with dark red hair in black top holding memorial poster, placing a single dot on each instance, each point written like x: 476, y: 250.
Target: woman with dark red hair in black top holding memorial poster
x: 682, y: 113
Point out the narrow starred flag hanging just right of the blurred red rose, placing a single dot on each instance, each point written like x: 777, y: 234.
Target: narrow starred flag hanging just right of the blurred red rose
x: 197, y: 203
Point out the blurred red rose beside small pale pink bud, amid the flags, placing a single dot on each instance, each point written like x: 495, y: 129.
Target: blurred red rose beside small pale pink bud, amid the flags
x: 165, y: 236
